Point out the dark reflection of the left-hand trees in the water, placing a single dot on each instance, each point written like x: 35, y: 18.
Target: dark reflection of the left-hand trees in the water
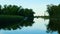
x: 15, y: 23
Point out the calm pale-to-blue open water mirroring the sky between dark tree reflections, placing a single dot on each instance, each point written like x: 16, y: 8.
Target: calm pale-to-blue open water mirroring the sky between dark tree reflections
x: 39, y: 27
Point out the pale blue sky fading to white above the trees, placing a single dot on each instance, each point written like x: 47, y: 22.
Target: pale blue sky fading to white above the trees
x: 38, y: 6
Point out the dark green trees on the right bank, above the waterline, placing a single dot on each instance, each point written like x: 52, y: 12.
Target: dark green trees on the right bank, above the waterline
x: 54, y: 11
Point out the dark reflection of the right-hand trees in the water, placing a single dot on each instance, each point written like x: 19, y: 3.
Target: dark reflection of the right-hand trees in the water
x: 54, y: 25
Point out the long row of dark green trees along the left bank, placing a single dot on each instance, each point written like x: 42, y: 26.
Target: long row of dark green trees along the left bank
x: 15, y: 10
